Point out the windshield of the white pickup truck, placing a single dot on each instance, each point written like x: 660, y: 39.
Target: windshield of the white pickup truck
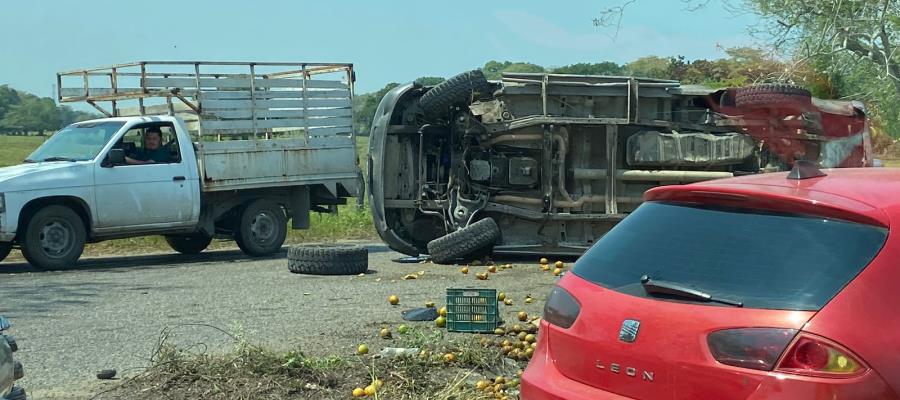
x: 76, y: 142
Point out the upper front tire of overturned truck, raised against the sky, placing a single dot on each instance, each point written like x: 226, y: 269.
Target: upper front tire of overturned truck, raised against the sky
x: 458, y: 89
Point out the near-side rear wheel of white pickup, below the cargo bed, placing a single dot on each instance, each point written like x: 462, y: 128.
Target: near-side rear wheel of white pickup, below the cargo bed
x: 263, y: 228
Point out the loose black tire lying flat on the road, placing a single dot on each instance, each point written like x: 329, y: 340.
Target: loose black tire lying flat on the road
x: 328, y: 260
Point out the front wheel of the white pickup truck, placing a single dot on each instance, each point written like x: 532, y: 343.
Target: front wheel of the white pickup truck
x: 54, y: 238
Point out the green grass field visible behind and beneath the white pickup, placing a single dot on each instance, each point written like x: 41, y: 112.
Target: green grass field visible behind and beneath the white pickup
x: 348, y: 223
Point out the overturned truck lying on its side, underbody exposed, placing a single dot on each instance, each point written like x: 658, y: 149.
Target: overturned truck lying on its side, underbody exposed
x: 547, y: 163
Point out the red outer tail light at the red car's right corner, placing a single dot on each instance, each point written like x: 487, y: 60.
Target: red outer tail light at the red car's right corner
x: 816, y: 356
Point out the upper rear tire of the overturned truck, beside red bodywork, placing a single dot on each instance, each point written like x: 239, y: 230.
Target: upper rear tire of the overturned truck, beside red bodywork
x: 773, y: 96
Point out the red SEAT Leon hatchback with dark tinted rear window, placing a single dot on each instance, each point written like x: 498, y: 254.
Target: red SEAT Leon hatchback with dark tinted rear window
x: 773, y: 286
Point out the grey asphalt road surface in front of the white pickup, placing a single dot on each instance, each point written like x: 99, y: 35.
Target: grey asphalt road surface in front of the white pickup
x: 110, y: 312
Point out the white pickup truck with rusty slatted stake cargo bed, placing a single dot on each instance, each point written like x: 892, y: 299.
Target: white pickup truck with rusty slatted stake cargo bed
x: 222, y: 153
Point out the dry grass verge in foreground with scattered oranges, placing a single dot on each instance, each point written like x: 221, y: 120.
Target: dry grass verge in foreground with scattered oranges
x: 253, y: 372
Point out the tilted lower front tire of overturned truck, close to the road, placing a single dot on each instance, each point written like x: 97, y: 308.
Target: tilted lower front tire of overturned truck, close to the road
x: 464, y: 242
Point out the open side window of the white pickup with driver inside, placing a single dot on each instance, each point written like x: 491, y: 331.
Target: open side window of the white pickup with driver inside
x: 151, y: 144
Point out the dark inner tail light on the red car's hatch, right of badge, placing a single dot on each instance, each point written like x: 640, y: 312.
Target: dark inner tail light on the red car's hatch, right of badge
x: 754, y: 348
